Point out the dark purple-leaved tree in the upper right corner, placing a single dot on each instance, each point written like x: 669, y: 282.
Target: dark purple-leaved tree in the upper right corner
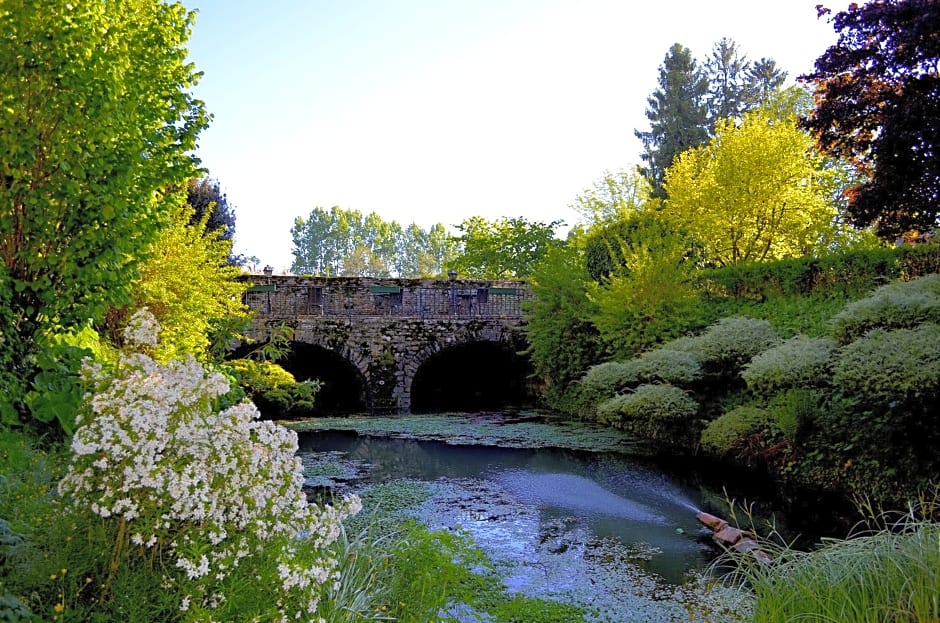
x: 878, y: 106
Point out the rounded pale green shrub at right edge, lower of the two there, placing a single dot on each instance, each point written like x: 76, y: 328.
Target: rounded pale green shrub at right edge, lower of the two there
x: 889, y: 366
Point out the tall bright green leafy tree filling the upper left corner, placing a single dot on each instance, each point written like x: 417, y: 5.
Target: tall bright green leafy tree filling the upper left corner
x: 97, y: 126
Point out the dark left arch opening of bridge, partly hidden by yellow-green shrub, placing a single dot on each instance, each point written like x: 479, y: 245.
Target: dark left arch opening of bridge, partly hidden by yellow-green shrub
x: 342, y: 385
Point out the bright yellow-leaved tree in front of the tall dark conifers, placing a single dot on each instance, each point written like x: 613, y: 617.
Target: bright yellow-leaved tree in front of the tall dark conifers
x: 755, y: 192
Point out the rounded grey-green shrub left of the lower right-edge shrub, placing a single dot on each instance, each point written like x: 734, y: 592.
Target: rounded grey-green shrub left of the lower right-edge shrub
x: 799, y: 362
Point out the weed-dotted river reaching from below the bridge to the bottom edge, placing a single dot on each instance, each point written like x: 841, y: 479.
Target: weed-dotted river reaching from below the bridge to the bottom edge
x: 598, y: 529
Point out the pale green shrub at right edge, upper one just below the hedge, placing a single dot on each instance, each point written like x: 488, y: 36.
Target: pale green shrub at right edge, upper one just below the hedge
x: 899, y: 305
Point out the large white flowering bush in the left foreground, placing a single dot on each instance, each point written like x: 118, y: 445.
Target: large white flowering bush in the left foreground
x: 212, y: 494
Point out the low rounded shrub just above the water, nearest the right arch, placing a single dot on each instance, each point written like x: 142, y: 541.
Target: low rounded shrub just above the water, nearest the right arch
x: 655, y: 412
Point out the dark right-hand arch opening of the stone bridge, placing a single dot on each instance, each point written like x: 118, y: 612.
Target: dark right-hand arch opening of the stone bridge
x: 476, y: 376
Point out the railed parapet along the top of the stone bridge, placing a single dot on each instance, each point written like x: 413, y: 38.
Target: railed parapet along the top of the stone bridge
x: 291, y: 297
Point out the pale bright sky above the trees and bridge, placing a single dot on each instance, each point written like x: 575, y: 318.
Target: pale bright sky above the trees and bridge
x: 432, y: 111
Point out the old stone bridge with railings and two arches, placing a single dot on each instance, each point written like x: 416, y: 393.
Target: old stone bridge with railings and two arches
x: 388, y: 331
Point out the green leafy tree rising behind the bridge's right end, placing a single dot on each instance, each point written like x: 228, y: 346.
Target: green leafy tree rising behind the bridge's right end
x: 507, y: 248
